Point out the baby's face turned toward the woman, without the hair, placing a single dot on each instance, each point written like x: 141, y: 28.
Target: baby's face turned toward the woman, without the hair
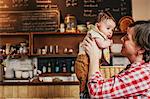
x: 107, y: 27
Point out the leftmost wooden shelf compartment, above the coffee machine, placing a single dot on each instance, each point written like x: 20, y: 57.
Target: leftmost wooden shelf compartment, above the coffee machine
x: 14, y: 40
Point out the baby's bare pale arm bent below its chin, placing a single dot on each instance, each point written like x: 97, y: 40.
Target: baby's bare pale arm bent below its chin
x: 103, y: 43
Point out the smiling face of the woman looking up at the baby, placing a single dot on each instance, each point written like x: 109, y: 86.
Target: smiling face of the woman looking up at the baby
x: 129, y: 48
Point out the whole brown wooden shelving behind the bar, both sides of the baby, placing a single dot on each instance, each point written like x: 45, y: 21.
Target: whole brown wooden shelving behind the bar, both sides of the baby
x: 39, y: 41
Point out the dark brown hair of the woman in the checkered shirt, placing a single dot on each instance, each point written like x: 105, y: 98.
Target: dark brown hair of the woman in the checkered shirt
x: 142, y: 37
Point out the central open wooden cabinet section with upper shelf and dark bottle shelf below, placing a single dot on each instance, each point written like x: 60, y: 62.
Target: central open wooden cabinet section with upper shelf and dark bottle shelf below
x: 57, y: 49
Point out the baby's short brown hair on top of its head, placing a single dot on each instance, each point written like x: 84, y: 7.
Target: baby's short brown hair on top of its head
x: 105, y: 15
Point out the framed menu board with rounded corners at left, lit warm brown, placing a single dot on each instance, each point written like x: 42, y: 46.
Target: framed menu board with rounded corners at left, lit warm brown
x: 29, y: 21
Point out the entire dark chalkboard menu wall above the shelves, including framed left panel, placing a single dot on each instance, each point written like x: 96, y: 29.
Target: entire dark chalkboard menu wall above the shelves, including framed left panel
x: 46, y: 15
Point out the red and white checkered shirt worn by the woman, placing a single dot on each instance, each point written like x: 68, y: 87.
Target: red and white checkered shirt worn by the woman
x: 134, y: 83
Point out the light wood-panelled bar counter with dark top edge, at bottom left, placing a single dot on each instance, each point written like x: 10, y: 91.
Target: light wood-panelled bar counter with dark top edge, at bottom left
x: 39, y: 90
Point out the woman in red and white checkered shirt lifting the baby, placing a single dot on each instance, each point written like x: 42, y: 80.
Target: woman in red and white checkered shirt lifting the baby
x: 134, y: 81
